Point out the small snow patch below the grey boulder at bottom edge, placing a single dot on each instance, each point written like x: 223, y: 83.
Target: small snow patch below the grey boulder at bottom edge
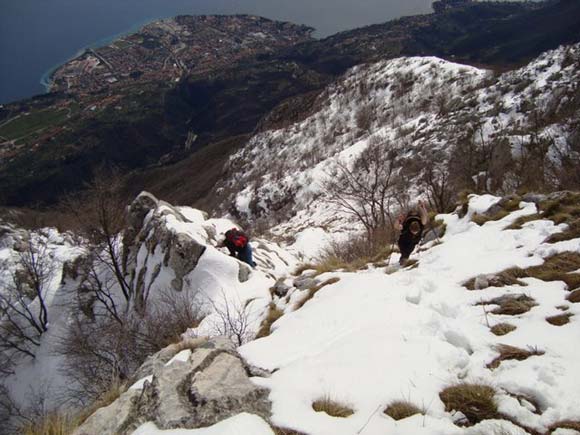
x: 241, y: 424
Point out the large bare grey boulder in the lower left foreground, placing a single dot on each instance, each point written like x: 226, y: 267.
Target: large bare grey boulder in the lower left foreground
x: 196, y: 388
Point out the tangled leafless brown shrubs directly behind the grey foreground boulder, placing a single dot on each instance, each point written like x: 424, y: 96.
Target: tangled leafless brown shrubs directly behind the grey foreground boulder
x: 107, y: 349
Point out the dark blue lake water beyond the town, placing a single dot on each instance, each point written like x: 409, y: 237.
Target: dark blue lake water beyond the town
x: 38, y: 35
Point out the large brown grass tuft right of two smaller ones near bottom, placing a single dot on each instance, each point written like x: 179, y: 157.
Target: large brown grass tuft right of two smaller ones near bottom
x: 475, y: 401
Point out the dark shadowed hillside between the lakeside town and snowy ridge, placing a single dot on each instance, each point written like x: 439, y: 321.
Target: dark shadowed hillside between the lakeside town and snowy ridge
x: 154, y: 125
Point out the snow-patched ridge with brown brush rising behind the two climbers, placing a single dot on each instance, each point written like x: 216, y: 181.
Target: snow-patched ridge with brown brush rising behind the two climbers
x: 471, y: 128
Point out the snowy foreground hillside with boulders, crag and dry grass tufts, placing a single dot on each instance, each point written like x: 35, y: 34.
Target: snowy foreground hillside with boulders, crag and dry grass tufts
x: 490, y: 305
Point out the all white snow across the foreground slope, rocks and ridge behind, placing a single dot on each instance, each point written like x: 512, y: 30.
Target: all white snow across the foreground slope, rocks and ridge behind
x: 370, y: 337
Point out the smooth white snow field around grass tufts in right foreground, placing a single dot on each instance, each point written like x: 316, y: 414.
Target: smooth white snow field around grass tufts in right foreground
x: 373, y: 338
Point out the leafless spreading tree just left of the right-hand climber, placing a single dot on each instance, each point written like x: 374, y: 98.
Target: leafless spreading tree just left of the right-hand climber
x: 364, y: 190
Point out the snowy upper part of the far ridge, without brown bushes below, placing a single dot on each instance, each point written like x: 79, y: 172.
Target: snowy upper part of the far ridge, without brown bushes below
x: 423, y: 106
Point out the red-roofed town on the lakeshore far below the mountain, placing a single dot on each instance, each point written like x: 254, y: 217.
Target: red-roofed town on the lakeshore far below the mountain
x: 170, y: 49
